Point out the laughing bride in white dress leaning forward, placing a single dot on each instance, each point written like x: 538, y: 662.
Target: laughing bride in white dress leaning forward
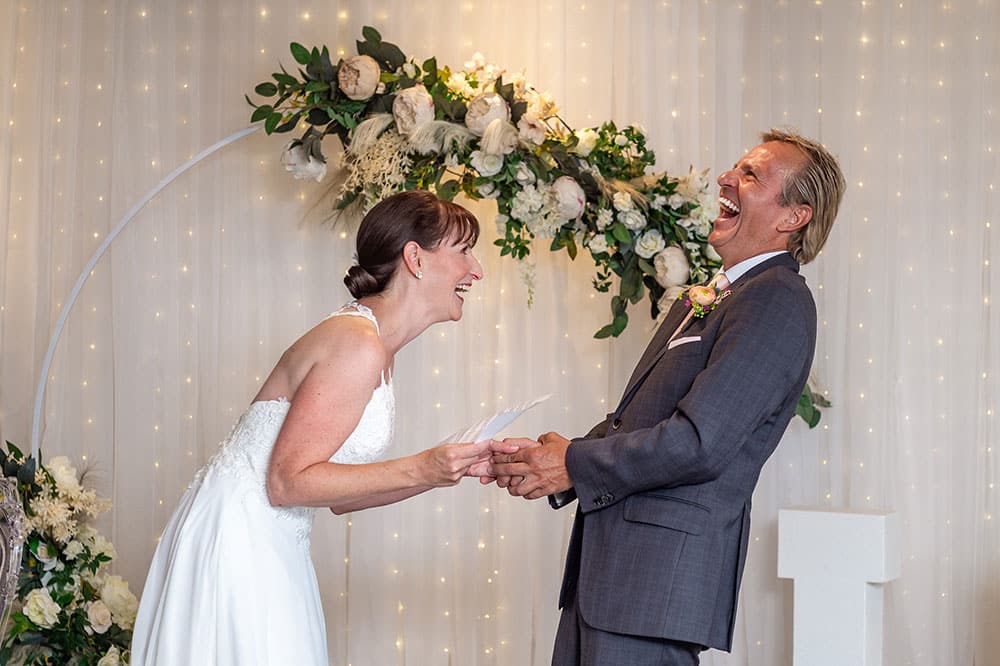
x: 232, y: 581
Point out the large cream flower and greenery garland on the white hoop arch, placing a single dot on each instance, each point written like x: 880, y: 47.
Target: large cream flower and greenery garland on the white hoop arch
x: 489, y: 134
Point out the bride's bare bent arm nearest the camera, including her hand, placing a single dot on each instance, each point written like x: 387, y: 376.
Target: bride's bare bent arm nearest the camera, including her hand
x: 325, y: 410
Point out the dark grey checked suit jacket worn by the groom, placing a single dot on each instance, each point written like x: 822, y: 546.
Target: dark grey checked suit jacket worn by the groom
x: 664, y: 487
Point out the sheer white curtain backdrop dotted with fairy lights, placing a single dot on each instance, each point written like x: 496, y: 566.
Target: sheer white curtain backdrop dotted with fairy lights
x: 181, y: 321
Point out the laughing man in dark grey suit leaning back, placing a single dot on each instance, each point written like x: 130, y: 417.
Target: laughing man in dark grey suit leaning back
x: 664, y: 483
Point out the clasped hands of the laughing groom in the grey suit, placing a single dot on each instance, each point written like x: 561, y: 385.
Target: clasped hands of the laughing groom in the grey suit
x: 542, y: 468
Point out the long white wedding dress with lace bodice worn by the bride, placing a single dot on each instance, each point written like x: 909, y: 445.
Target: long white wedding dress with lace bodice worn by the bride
x: 232, y: 581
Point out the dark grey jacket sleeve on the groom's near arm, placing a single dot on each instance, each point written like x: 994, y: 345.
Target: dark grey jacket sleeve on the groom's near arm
x: 758, y: 362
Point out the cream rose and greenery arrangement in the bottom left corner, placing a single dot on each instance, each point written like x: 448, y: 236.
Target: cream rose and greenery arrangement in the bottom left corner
x: 69, y: 609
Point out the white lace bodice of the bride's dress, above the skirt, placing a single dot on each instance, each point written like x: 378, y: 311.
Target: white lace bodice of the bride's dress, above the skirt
x: 246, y: 452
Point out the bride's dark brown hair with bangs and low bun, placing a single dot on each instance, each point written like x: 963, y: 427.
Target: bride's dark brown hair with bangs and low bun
x: 415, y: 215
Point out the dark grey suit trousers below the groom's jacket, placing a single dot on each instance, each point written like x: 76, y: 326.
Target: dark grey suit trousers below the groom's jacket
x: 579, y: 644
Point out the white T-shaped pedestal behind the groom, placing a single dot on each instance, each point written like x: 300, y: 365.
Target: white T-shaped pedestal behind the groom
x: 839, y: 561
